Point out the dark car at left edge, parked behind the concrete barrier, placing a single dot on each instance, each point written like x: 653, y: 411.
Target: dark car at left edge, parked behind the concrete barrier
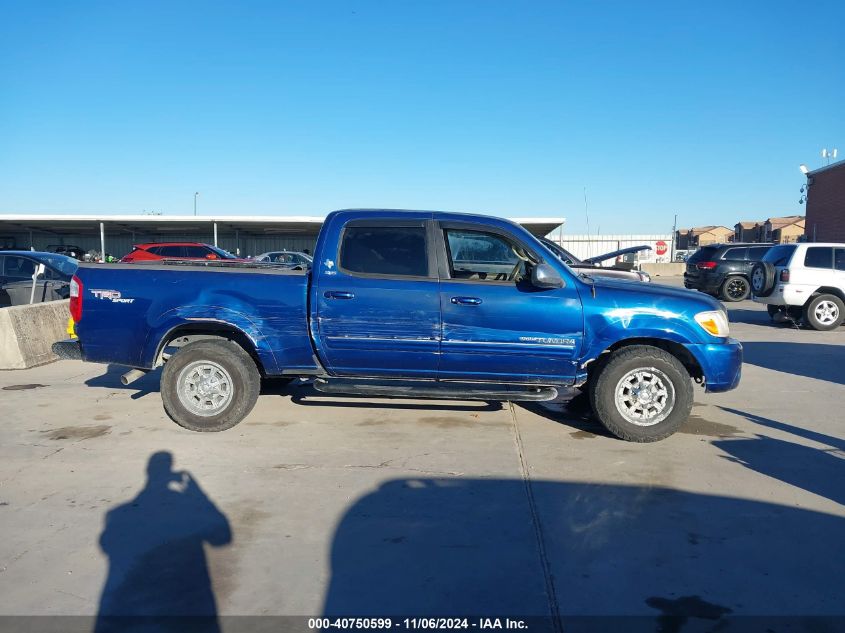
x: 16, y: 277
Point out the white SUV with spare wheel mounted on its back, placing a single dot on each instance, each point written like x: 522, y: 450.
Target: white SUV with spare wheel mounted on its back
x: 804, y: 280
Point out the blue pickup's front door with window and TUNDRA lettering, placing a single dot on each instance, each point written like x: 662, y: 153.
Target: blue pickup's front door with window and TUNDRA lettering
x: 496, y: 325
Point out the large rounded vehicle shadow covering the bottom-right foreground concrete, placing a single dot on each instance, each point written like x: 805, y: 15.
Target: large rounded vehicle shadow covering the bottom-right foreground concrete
x: 499, y: 547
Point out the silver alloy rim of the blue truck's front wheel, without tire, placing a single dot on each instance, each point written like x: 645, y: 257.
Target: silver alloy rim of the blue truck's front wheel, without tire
x: 644, y: 396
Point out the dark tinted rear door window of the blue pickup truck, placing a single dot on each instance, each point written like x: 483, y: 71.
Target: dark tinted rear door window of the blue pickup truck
x: 385, y: 251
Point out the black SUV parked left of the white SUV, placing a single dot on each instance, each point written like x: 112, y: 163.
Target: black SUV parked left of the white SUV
x: 724, y: 270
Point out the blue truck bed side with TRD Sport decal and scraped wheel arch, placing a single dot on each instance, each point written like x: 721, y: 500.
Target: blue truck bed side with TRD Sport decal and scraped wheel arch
x: 129, y: 309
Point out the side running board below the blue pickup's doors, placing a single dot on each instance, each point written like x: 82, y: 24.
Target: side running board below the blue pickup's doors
x: 433, y: 389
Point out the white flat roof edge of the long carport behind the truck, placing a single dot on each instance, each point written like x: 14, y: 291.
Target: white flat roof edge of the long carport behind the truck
x: 182, y: 224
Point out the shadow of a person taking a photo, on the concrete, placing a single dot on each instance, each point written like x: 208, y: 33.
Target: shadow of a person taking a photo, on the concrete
x: 158, y: 578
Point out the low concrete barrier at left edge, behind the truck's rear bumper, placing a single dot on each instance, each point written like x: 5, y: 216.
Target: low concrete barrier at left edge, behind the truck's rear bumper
x: 28, y: 332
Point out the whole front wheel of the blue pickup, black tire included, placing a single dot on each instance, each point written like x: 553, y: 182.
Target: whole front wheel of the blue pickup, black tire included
x: 620, y: 370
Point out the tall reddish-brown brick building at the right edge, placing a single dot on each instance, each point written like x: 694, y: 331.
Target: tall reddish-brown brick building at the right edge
x: 825, y: 220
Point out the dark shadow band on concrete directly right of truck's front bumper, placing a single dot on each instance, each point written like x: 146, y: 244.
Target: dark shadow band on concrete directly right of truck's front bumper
x: 812, y: 360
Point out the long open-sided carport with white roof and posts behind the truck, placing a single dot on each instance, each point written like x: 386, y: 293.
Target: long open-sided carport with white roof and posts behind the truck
x: 242, y: 235
